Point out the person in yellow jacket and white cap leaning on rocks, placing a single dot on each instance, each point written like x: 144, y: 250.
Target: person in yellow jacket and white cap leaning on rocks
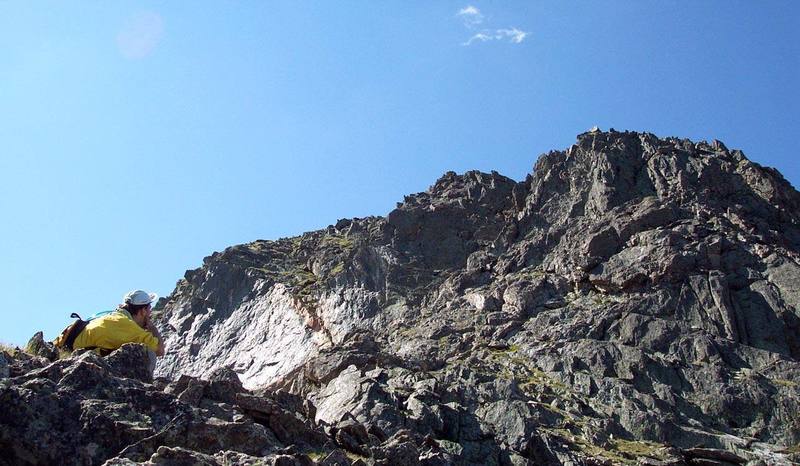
x: 129, y: 323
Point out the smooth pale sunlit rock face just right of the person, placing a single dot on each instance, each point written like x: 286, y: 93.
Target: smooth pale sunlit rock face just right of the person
x: 265, y: 337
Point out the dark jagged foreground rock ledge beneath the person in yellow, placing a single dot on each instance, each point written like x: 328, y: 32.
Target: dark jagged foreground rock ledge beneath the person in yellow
x: 86, y: 409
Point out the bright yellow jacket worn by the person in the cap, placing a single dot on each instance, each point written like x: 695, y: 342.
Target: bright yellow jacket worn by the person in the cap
x: 114, y: 330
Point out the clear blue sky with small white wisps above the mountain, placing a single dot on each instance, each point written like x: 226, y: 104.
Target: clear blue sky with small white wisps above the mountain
x: 138, y: 137
